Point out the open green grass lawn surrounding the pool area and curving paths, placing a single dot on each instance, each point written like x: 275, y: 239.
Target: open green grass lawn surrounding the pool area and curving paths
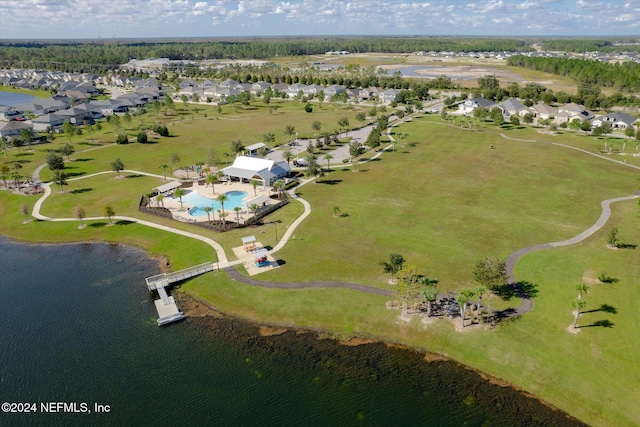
x: 443, y: 201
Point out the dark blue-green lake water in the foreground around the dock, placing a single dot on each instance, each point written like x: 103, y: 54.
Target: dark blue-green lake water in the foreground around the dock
x: 77, y: 325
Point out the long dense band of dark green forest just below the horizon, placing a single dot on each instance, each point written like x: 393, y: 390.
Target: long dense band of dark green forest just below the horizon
x: 82, y: 56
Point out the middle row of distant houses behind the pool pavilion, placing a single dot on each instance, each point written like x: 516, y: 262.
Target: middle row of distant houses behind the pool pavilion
x: 220, y: 91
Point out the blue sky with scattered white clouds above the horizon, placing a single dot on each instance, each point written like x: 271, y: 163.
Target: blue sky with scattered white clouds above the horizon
x: 80, y: 19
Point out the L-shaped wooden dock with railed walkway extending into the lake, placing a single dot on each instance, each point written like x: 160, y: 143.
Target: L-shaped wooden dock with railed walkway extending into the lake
x: 166, y: 306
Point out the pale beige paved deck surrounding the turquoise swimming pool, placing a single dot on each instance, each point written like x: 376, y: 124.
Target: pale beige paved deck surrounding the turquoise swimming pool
x: 205, y: 190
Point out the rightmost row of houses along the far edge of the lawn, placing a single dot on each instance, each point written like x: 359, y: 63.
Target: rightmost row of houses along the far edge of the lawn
x: 563, y: 113
